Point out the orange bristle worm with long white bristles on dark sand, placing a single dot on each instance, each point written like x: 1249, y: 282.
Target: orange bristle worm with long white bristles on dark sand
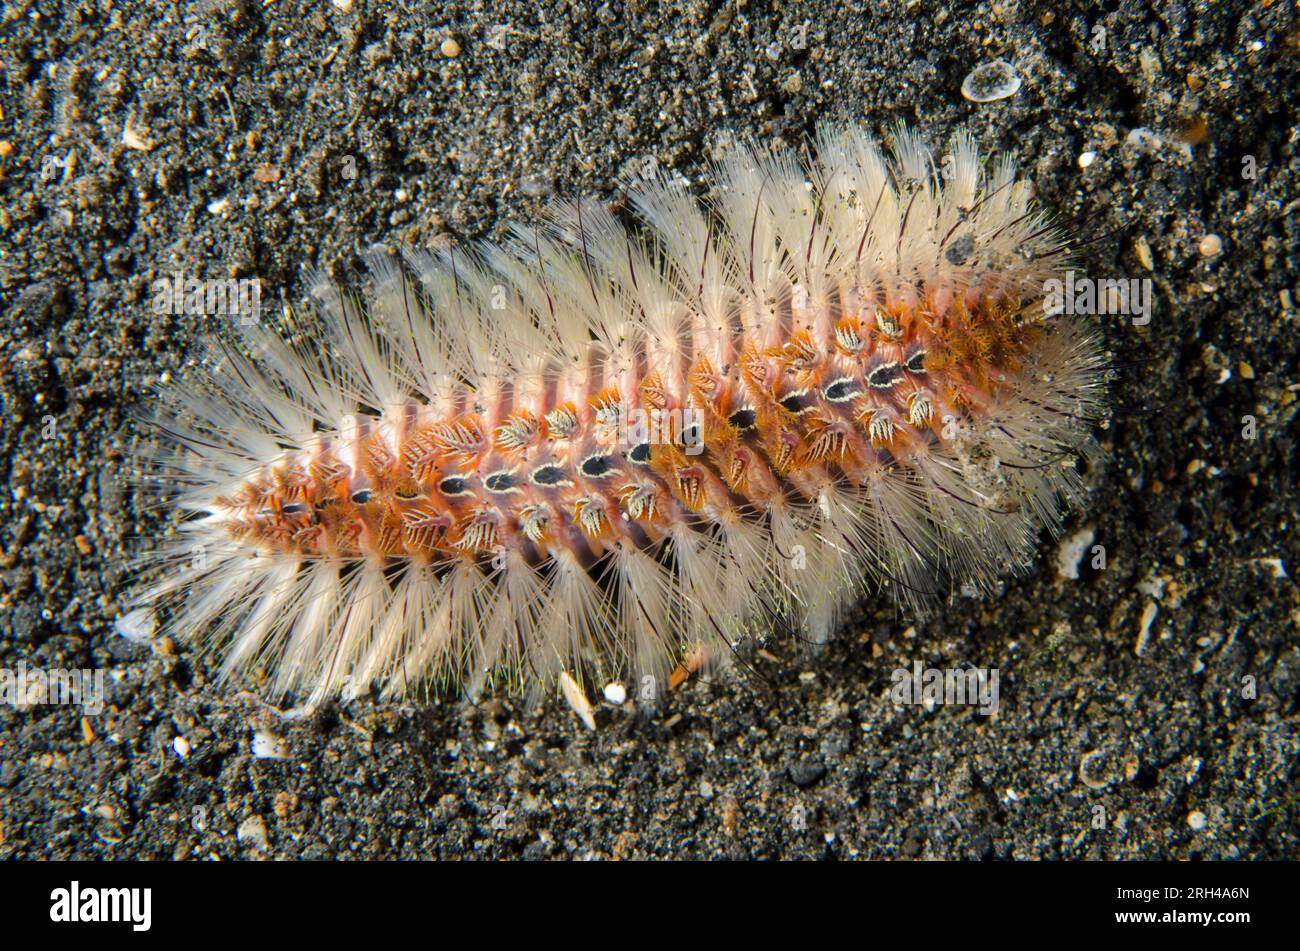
x: 599, y: 450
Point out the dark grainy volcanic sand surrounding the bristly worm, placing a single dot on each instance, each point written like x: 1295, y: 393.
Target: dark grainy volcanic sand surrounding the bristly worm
x: 268, y: 110
